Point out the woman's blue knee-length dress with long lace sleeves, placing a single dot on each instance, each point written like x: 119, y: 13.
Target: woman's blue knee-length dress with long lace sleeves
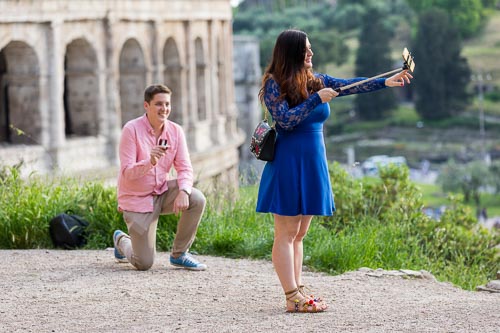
x: 297, y: 181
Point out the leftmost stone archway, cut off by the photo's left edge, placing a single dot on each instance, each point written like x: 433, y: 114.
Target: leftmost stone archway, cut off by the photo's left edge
x: 20, y: 119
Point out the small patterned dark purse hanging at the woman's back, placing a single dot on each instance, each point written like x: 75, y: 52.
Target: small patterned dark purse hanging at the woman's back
x: 263, y: 140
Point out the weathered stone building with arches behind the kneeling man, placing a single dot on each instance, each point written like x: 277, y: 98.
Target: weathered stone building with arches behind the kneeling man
x: 73, y: 72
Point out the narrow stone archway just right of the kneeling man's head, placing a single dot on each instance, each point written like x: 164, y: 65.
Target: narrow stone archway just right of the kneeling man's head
x: 172, y: 76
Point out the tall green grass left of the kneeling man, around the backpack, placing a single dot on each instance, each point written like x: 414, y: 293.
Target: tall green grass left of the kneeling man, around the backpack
x: 29, y: 205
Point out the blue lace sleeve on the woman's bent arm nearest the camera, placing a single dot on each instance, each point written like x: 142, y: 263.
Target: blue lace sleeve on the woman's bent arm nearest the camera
x: 286, y: 117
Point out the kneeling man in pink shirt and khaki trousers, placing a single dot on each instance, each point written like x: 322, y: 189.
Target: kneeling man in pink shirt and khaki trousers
x: 150, y: 145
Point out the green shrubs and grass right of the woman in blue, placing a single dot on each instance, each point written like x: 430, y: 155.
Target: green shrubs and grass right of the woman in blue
x: 379, y: 223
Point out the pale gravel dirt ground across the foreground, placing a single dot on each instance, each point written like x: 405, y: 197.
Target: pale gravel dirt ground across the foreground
x: 86, y: 291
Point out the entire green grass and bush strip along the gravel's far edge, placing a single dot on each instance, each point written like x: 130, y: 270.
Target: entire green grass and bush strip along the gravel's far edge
x: 378, y: 224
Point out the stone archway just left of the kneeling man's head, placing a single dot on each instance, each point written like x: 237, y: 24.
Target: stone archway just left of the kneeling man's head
x: 132, y: 80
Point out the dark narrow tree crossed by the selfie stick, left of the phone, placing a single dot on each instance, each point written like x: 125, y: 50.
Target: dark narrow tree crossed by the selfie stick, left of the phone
x: 373, y: 58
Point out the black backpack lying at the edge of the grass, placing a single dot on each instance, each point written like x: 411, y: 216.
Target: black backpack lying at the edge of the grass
x: 67, y: 231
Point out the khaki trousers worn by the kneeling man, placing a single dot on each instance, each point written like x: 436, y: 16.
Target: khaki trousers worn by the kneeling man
x: 140, y: 246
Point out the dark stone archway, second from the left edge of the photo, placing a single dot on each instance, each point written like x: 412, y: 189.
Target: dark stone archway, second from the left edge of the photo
x: 81, y: 90
